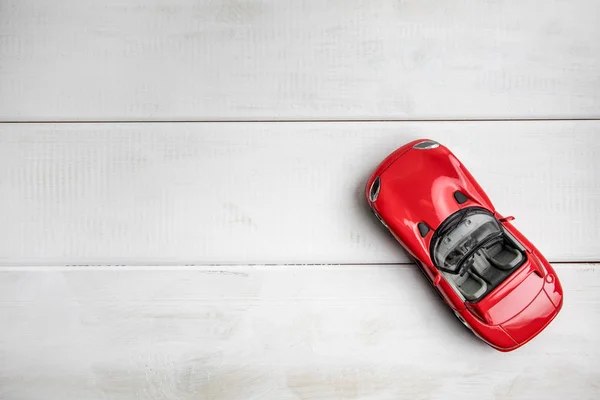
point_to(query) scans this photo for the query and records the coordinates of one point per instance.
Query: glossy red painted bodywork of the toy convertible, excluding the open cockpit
(417, 185)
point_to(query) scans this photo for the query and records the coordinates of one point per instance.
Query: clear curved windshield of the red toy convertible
(460, 235)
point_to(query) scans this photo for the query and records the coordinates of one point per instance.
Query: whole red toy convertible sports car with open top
(497, 283)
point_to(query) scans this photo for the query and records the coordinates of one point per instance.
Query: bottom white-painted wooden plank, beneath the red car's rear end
(337, 332)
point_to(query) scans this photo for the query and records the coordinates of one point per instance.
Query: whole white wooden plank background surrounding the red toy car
(181, 194)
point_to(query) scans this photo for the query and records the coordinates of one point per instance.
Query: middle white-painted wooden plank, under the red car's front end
(203, 193)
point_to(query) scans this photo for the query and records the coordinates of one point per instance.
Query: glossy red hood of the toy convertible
(420, 186)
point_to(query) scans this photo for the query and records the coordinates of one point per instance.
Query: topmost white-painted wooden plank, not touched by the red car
(290, 59)
